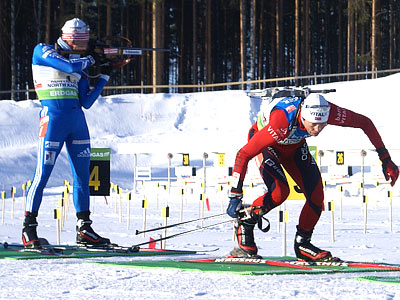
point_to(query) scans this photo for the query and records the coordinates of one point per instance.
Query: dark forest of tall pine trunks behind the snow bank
(211, 41)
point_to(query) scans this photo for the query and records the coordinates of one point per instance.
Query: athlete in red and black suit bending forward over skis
(278, 139)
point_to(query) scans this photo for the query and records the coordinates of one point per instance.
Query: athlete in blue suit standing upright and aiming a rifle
(63, 89)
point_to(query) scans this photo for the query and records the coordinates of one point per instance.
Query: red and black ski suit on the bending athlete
(281, 142)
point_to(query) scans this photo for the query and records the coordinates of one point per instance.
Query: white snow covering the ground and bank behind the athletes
(195, 123)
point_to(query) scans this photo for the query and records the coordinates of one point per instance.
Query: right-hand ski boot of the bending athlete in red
(306, 251)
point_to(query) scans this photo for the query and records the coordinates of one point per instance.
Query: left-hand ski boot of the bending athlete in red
(244, 231)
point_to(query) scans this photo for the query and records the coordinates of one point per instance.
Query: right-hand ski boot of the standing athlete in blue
(85, 235)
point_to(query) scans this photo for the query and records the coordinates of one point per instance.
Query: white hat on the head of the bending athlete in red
(315, 109)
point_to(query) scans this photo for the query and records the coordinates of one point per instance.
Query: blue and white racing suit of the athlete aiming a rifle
(62, 90)
